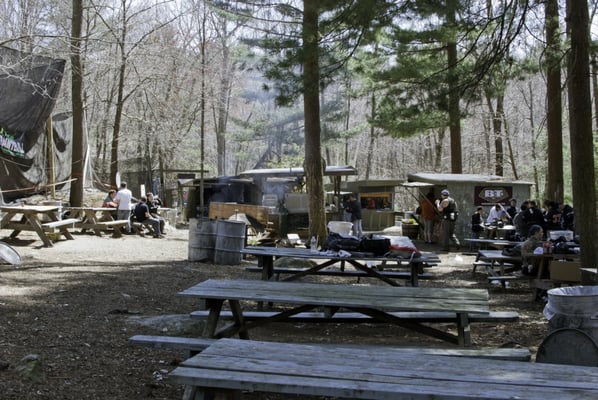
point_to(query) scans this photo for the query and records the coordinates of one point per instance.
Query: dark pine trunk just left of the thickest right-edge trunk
(554, 179)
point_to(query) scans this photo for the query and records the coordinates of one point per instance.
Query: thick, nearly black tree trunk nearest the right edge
(580, 126)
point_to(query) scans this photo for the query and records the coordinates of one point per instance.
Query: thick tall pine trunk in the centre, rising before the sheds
(313, 159)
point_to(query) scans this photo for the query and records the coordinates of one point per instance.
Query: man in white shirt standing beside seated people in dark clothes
(145, 210)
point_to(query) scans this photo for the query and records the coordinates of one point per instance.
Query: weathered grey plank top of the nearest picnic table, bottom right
(230, 366)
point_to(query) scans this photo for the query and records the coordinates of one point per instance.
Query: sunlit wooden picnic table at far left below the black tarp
(40, 219)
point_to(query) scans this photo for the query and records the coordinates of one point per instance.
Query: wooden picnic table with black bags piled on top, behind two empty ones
(266, 255)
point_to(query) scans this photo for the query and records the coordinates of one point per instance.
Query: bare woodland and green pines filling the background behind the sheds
(402, 86)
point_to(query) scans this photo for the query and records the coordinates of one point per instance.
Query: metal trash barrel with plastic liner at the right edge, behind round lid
(573, 307)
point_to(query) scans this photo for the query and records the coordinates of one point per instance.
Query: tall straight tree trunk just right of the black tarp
(76, 194)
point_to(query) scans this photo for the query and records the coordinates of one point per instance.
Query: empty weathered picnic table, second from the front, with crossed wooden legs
(375, 301)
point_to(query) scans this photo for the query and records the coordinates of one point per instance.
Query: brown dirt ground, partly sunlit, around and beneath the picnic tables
(72, 305)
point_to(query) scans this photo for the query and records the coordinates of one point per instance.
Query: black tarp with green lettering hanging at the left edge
(29, 85)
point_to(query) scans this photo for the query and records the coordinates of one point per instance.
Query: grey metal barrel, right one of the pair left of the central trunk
(230, 240)
